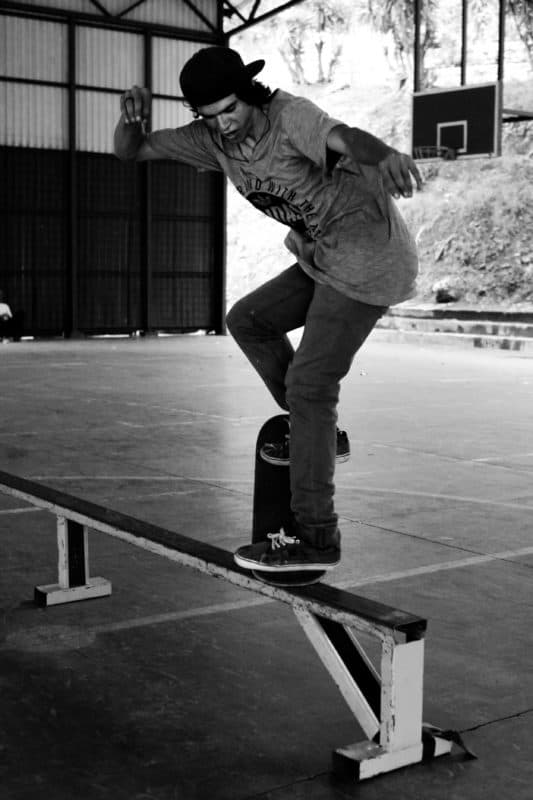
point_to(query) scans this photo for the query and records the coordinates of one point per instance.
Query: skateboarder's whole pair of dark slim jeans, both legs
(305, 382)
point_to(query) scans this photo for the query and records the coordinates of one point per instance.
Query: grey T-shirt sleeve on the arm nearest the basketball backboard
(307, 128)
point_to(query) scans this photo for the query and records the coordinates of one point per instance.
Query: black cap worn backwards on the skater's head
(214, 73)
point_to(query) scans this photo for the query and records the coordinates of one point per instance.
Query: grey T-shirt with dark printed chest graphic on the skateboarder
(345, 231)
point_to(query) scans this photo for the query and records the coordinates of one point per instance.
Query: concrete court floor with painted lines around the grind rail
(183, 687)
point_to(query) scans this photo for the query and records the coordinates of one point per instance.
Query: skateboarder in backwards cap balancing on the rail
(332, 186)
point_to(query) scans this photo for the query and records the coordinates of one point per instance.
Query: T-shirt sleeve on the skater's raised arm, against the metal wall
(190, 144)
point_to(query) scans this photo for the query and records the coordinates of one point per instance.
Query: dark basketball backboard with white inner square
(463, 122)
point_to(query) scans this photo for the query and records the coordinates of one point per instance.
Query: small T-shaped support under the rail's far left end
(73, 569)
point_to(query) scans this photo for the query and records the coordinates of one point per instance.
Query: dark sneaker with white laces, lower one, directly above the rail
(282, 553)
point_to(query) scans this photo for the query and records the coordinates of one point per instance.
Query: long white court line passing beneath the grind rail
(348, 583)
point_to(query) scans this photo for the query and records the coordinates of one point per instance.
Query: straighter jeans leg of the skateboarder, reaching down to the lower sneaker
(335, 328)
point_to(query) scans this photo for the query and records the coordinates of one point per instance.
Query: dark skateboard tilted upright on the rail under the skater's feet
(272, 504)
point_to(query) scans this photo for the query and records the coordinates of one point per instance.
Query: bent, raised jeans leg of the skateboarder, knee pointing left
(260, 321)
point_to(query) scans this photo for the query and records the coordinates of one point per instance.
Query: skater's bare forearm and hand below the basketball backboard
(396, 168)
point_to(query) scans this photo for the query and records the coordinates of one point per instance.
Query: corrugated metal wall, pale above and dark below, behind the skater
(73, 258)
